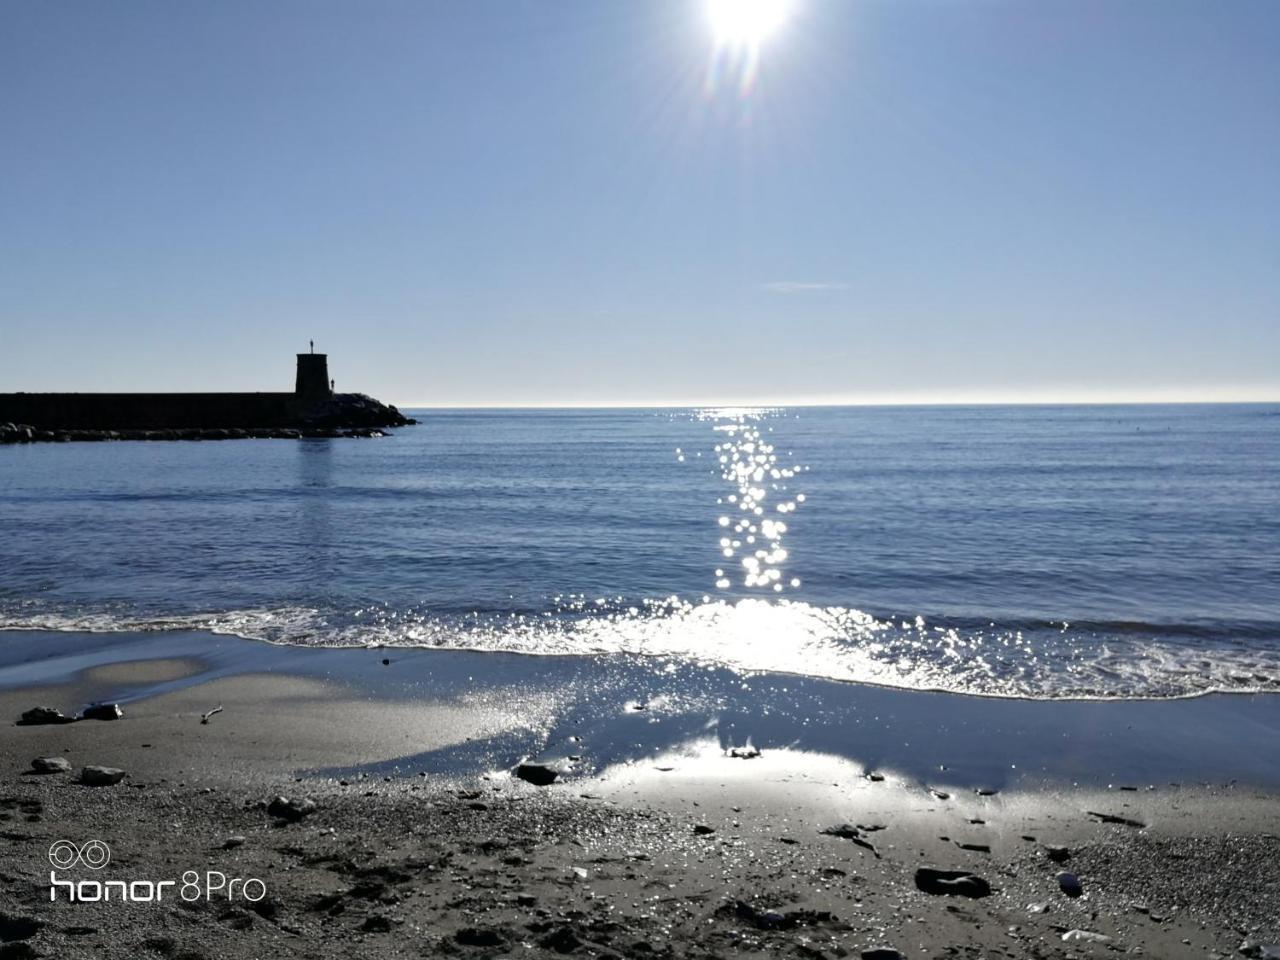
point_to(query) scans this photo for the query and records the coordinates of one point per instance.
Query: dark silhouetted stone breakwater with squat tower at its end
(312, 410)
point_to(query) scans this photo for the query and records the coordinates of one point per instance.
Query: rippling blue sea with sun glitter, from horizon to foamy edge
(1040, 552)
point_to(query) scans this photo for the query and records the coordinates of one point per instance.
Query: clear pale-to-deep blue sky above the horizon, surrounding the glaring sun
(501, 203)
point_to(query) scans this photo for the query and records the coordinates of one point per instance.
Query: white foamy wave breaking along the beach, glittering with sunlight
(1045, 661)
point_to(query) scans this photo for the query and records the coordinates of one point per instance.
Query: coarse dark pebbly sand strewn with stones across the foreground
(409, 871)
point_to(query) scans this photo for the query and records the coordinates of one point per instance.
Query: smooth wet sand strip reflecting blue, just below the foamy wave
(612, 710)
